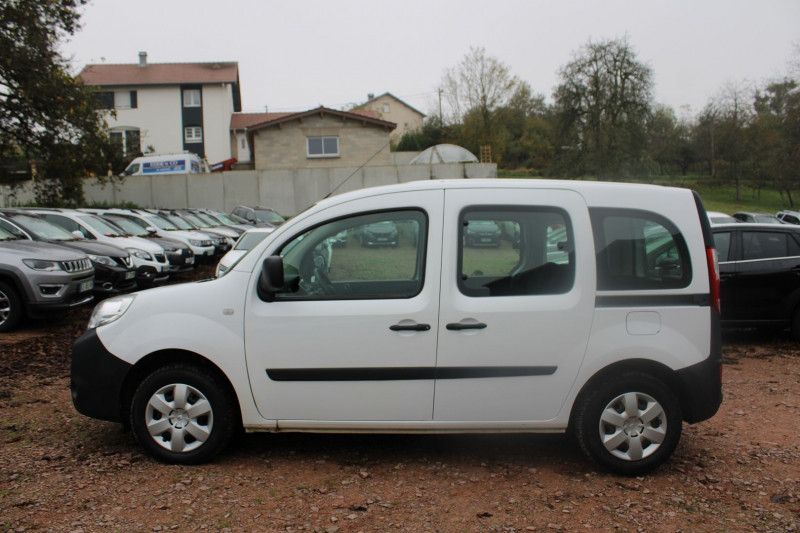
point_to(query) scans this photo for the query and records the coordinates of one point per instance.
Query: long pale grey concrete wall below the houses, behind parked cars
(286, 191)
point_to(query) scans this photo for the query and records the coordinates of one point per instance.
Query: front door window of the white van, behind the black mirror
(376, 255)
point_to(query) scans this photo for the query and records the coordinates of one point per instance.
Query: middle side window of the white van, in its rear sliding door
(515, 251)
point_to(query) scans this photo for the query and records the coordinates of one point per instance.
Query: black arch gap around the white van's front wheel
(159, 359)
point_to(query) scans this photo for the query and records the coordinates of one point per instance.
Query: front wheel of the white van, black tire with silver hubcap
(195, 409)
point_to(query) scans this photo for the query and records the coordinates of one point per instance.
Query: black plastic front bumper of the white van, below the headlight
(96, 379)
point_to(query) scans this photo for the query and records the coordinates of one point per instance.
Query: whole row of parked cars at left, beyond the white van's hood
(115, 250)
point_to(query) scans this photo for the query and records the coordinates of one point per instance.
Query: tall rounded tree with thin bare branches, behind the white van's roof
(601, 107)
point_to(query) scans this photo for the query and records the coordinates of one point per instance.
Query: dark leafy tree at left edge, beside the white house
(45, 114)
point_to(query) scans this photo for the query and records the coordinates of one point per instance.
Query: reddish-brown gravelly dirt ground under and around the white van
(60, 471)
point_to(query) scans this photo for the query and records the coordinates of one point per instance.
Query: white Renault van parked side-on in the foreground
(597, 313)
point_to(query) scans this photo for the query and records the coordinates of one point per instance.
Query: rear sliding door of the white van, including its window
(516, 307)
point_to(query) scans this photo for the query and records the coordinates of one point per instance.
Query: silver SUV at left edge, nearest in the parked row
(37, 278)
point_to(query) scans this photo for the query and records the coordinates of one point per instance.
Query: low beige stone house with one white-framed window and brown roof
(318, 138)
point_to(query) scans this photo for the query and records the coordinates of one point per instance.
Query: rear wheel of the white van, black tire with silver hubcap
(642, 427)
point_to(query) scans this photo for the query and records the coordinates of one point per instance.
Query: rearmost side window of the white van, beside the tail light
(639, 250)
